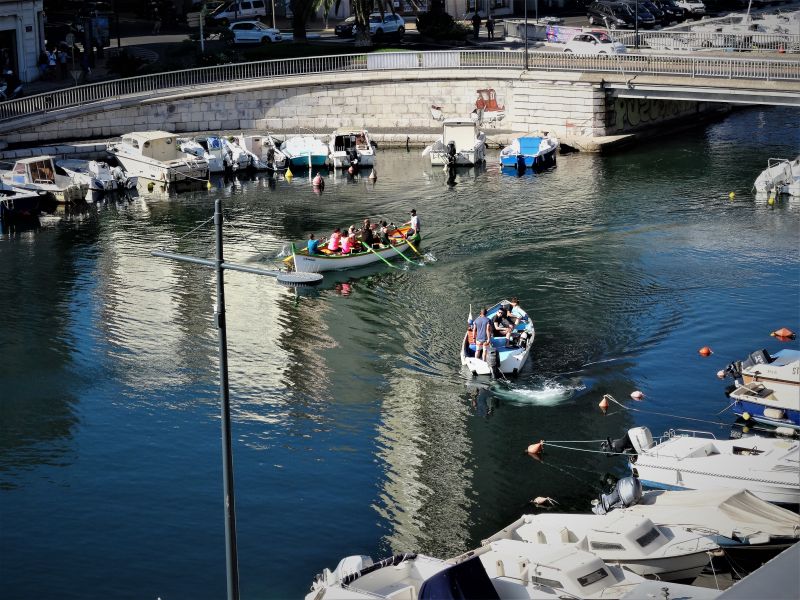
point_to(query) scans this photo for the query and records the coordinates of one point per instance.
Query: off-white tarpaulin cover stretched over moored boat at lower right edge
(727, 512)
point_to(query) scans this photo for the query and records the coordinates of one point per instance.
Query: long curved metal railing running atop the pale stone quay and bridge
(646, 64)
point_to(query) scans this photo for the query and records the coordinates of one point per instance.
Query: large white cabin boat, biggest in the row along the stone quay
(155, 156)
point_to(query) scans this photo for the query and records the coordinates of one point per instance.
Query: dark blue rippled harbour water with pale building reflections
(354, 429)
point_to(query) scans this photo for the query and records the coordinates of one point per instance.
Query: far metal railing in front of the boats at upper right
(699, 40)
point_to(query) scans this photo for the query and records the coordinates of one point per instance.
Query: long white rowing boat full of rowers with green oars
(372, 243)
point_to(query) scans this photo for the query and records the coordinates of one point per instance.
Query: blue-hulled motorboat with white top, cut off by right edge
(767, 387)
